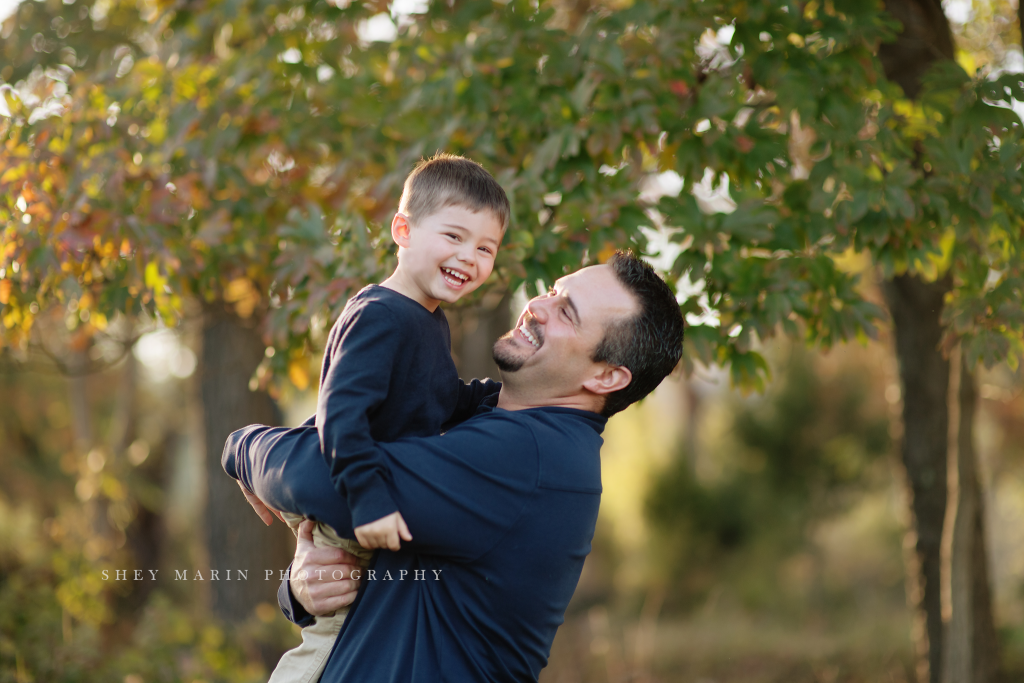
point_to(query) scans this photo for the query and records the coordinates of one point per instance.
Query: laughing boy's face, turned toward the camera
(449, 254)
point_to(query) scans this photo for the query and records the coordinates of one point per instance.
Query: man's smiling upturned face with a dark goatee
(551, 347)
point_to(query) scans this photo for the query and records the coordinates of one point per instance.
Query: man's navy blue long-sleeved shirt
(502, 509)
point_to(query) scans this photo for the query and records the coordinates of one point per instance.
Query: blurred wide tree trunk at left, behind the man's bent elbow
(237, 540)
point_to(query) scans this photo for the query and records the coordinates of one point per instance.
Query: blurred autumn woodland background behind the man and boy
(191, 191)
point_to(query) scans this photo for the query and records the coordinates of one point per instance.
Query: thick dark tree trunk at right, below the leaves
(916, 308)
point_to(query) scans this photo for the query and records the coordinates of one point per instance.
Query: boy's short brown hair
(446, 181)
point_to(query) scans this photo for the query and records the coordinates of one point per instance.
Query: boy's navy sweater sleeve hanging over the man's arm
(356, 383)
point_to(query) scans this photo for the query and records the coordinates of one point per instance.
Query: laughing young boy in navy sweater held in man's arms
(389, 364)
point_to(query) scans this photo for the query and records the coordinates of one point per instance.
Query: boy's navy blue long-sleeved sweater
(388, 374)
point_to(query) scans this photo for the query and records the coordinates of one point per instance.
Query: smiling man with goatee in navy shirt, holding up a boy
(501, 508)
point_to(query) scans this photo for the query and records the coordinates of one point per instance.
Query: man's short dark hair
(651, 344)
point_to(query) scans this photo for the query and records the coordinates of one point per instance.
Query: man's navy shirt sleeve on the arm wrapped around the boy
(460, 493)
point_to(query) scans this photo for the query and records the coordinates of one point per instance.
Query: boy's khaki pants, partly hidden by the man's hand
(306, 663)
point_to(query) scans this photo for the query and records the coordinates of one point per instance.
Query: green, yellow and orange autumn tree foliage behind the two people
(245, 154)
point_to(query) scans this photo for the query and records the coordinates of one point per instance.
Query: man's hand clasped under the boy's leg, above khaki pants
(321, 578)
